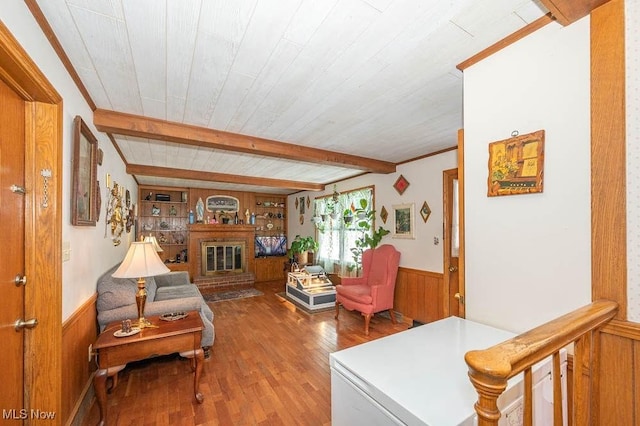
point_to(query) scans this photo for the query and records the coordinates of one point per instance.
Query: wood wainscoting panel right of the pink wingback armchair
(419, 295)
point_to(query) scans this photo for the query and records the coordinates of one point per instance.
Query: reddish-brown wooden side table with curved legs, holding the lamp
(113, 353)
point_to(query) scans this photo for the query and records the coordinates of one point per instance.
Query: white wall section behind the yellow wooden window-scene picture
(528, 257)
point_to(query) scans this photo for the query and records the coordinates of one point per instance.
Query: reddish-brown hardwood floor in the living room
(269, 365)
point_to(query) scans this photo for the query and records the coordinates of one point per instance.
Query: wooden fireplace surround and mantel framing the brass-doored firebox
(219, 232)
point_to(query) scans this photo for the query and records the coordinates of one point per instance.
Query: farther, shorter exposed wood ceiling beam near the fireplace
(139, 169)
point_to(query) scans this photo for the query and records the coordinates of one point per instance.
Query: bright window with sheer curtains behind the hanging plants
(335, 238)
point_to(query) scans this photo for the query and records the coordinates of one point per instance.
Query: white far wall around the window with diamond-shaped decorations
(425, 184)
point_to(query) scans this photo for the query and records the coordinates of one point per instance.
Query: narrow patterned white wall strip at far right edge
(632, 40)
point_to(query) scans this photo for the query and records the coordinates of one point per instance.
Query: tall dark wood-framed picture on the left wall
(84, 175)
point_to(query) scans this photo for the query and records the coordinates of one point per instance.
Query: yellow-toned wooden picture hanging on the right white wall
(516, 165)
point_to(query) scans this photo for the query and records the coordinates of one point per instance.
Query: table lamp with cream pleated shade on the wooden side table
(141, 261)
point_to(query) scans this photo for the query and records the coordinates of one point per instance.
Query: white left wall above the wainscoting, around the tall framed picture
(91, 252)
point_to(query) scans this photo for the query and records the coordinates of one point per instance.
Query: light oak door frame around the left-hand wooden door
(43, 224)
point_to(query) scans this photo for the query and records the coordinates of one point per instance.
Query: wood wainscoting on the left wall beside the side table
(78, 332)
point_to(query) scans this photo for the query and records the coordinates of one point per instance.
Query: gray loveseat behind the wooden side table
(167, 293)
